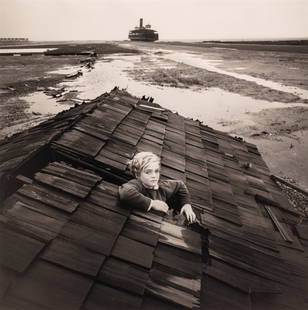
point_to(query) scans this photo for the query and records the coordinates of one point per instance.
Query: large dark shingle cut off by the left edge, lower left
(18, 251)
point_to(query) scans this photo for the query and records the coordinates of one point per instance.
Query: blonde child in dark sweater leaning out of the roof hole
(146, 192)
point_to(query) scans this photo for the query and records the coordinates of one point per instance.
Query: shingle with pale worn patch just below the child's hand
(180, 237)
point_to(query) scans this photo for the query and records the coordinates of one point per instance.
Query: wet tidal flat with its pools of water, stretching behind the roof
(274, 120)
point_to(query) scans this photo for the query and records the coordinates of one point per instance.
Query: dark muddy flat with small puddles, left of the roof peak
(23, 79)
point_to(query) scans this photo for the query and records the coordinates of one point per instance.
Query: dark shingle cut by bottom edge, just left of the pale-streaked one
(103, 297)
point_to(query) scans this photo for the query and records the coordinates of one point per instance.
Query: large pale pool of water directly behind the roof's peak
(213, 106)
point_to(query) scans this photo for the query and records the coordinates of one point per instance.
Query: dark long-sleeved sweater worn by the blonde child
(135, 195)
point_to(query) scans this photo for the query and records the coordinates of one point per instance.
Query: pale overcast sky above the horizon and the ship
(173, 19)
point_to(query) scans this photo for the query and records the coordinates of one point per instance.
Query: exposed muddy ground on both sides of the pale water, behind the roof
(280, 134)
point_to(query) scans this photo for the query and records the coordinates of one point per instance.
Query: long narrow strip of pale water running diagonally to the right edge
(199, 62)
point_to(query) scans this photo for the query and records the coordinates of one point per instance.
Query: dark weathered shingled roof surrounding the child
(68, 244)
